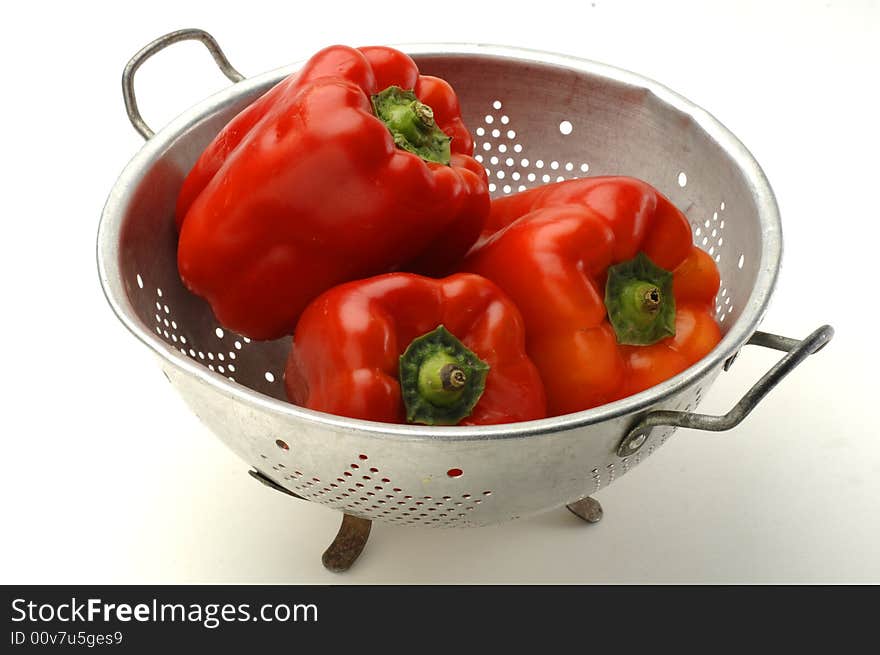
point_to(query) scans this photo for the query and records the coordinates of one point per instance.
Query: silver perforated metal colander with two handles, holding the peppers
(537, 118)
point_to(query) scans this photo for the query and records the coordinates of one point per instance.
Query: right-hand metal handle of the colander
(797, 351)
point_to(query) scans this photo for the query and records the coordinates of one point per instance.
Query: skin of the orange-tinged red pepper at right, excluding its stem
(552, 252)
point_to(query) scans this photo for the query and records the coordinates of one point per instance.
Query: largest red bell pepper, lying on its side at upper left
(307, 188)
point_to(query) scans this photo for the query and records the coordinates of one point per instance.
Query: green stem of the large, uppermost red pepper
(412, 124)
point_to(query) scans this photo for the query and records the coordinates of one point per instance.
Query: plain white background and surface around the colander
(107, 477)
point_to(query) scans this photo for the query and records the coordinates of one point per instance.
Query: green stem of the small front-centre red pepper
(441, 381)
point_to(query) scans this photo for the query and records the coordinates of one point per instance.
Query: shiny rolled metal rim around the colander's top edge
(755, 307)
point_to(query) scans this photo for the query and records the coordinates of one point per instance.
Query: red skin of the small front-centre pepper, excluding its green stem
(346, 353)
